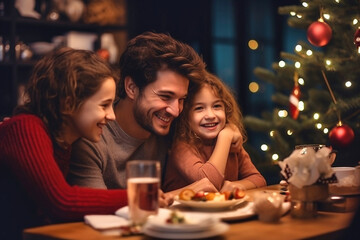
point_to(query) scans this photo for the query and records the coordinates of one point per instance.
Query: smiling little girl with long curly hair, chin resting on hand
(208, 126)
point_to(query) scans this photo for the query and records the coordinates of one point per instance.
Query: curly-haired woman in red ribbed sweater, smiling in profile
(70, 95)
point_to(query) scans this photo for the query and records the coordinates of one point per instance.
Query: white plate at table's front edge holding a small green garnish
(194, 223)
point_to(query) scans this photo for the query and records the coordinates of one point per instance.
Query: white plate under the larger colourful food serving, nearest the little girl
(212, 205)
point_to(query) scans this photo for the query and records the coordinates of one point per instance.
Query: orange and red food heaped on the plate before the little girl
(188, 194)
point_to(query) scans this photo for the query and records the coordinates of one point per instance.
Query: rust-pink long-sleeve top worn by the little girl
(185, 167)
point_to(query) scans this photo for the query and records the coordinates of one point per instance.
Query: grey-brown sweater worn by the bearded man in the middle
(102, 164)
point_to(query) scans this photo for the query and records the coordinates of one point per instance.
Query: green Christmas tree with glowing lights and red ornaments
(317, 87)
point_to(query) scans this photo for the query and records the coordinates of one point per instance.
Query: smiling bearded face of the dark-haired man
(161, 102)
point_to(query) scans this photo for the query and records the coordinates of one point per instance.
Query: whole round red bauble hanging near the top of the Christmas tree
(319, 33)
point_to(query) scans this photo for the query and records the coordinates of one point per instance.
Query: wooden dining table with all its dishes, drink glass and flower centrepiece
(296, 206)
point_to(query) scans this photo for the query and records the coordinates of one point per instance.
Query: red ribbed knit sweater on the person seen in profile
(29, 159)
